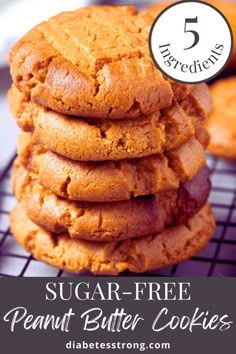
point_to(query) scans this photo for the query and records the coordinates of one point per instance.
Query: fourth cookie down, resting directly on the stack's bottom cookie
(113, 220)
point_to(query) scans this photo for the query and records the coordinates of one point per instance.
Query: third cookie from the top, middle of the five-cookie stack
(109, 180)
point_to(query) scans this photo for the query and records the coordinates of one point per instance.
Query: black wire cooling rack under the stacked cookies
(217, 259)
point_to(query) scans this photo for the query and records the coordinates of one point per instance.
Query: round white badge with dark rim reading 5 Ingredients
(191, 42)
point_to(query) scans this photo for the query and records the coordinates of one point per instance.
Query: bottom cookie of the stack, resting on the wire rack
(173, 245)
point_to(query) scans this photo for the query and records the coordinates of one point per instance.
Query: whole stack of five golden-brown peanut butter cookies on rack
(110, 173)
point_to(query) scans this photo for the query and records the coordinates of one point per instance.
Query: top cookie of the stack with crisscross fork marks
(93, 62)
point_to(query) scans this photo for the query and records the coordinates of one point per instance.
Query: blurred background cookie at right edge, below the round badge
(222, 121)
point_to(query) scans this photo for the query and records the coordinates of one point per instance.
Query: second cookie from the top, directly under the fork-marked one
(93, 140)
